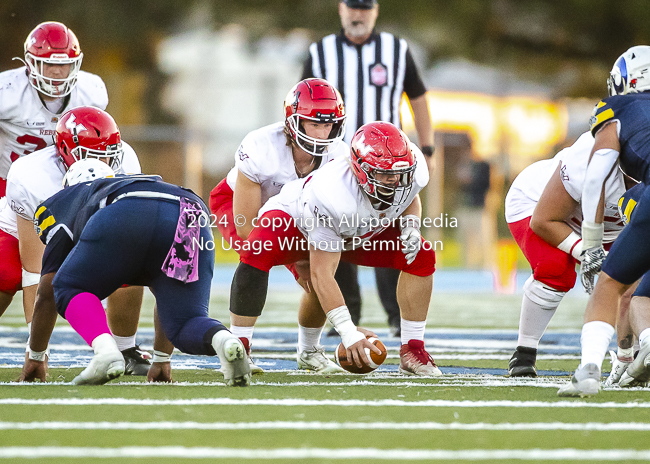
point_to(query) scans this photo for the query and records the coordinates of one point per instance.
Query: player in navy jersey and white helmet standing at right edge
(621, 127)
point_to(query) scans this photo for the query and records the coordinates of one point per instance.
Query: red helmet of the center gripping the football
(383, 163)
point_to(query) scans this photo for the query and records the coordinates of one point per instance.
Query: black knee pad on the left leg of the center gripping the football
(248, 291)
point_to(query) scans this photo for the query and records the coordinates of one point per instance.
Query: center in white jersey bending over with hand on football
(363, 208)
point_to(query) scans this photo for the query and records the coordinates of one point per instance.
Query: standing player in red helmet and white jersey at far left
(32, 99)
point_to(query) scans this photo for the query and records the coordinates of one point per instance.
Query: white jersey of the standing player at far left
(26, 125)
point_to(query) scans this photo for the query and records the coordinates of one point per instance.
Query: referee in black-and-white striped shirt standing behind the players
(371, 70)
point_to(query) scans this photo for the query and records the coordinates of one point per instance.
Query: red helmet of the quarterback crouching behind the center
(314, 100)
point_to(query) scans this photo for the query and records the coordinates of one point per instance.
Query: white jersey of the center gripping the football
(331, 208)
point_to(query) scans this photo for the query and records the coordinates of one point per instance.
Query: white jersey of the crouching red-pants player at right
(527, 188)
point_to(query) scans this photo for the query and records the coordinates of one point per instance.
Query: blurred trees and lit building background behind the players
(510, 82)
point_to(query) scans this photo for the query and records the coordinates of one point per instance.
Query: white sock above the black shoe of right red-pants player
(538, 306)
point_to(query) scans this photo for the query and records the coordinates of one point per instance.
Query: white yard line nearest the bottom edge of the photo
(569, 454)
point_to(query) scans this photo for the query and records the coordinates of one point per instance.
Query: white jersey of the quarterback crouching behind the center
(266, 159)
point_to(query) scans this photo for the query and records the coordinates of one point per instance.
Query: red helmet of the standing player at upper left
(52, 43)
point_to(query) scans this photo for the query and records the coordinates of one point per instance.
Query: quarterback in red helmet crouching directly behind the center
(268, 158)
